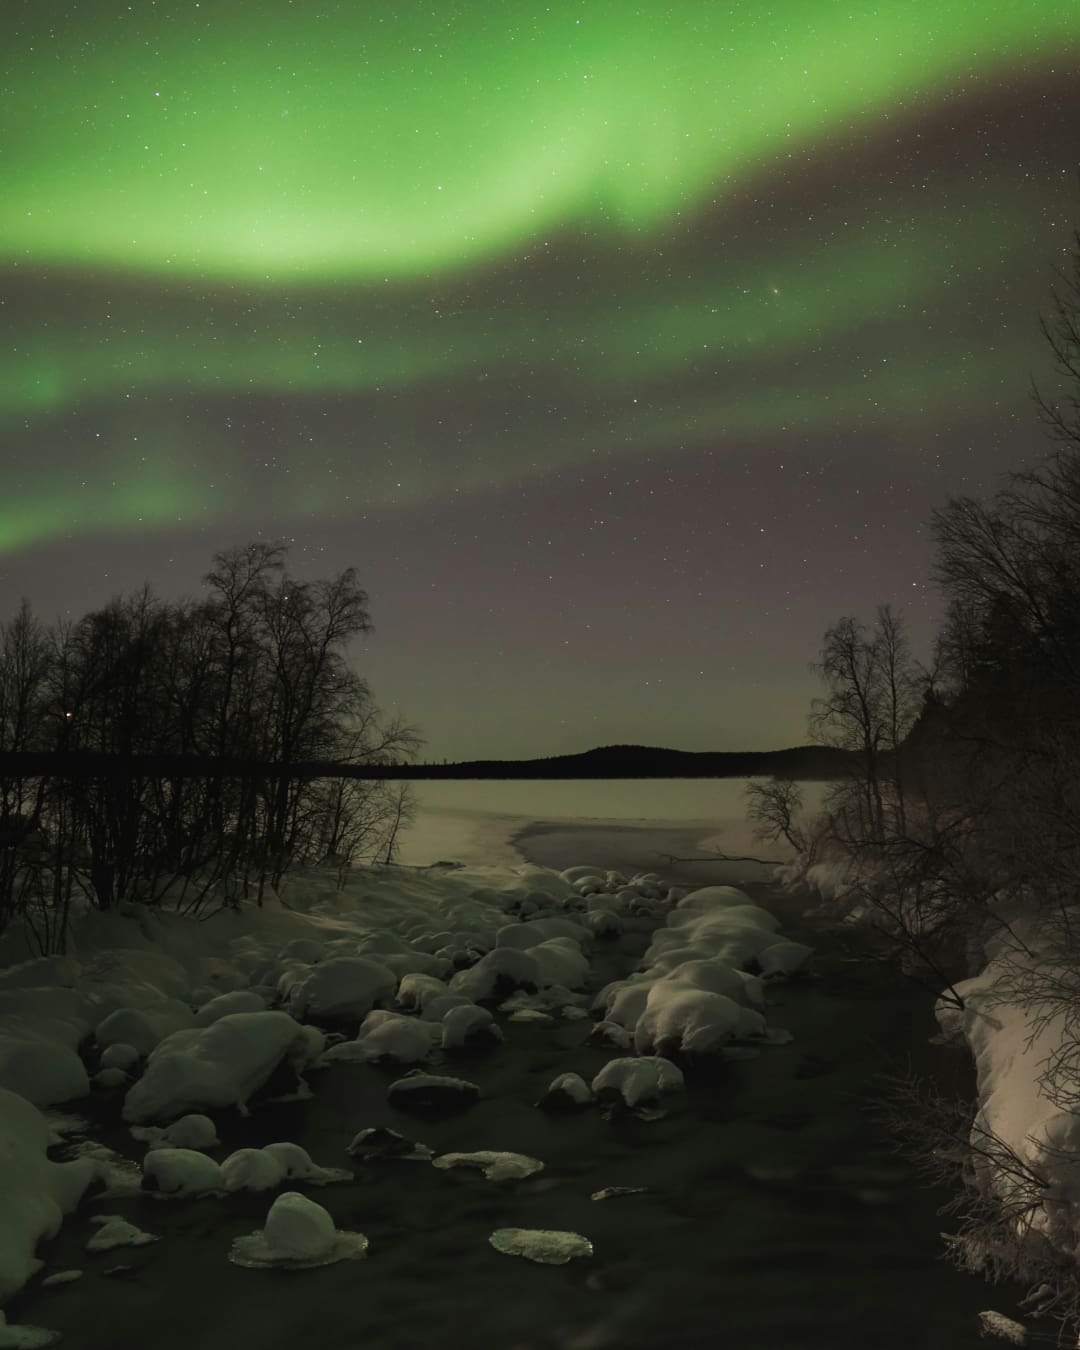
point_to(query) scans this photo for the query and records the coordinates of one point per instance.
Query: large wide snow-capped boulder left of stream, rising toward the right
(219, 1066)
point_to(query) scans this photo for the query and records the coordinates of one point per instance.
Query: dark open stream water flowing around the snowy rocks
(777, 1216)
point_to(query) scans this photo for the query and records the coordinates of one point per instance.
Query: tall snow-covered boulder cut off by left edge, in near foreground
(36, 1193)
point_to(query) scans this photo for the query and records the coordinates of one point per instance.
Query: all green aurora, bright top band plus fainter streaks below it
(325, 202)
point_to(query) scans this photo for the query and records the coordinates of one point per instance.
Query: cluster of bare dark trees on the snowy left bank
(106, 722)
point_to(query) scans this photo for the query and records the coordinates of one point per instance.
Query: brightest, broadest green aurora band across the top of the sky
(310, 142)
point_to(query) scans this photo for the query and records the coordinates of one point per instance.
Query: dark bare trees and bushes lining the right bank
(961, 819)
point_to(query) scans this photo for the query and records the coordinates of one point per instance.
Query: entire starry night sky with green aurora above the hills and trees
(620, 348)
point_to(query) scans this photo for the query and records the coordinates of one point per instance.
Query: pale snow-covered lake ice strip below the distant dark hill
(472, 821)
